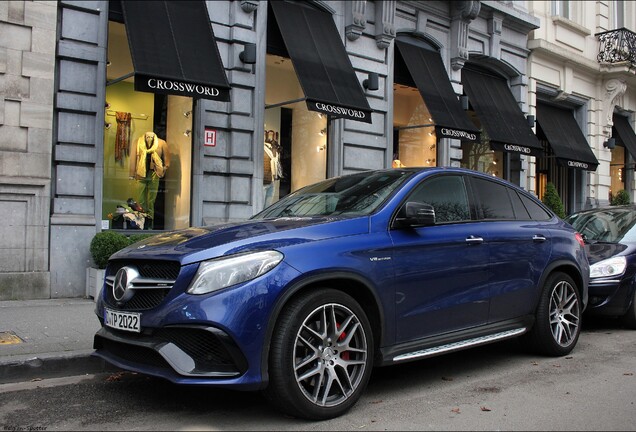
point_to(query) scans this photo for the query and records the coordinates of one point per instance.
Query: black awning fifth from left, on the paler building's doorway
(566, 138)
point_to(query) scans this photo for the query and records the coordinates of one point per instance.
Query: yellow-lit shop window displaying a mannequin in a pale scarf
(147, 149)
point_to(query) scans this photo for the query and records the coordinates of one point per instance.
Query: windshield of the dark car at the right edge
(610, 226)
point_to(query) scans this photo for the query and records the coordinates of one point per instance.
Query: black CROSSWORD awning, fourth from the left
(499, 113)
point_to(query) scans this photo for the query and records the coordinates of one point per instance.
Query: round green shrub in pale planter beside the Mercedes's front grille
(103, 245)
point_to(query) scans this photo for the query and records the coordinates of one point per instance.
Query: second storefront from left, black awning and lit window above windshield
(310, 82)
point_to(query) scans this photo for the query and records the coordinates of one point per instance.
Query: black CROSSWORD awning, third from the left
(430, 77)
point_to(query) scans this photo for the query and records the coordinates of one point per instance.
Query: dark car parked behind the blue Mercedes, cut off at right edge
(610, 235)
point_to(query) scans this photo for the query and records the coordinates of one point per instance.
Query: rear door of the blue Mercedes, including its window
(520, 247)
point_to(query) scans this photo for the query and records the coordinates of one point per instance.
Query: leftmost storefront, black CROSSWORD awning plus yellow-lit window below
(155, 74)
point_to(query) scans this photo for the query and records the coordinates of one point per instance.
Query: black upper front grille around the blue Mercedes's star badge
(156, 278)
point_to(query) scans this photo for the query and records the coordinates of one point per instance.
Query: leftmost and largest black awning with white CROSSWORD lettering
(174, 50)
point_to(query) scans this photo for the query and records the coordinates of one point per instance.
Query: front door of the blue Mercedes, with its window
(441, 271)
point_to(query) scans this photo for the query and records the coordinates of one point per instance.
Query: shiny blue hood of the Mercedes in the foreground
(197, 244)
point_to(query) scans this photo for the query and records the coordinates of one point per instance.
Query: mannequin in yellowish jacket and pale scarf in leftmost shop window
(149, 161)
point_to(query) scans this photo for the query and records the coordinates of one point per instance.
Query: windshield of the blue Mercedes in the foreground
(355, 194)
